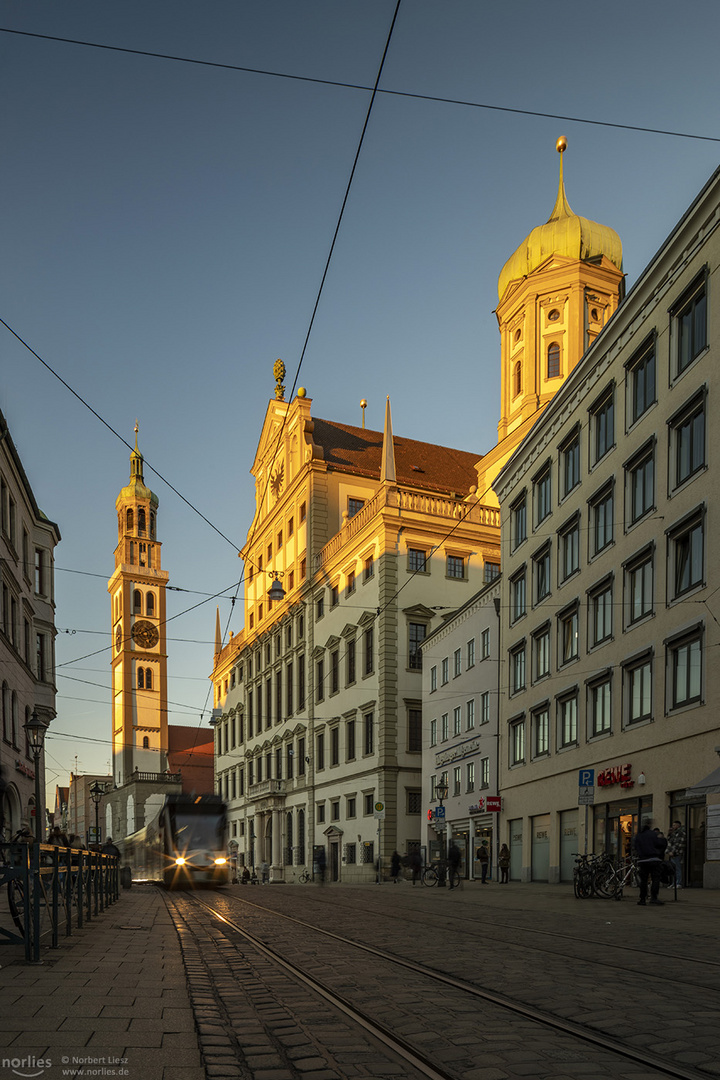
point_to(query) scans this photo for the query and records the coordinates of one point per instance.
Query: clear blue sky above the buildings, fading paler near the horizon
(165, 228)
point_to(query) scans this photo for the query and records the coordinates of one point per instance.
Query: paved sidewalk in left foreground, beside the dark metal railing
(111, 1002)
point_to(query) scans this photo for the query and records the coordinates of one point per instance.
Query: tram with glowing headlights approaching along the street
(183, 846)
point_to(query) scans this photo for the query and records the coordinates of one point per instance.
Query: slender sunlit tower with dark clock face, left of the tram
(140, 654)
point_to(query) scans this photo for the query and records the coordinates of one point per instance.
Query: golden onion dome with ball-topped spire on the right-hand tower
(564, 234)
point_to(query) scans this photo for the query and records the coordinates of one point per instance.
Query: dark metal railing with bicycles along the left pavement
(52, 889)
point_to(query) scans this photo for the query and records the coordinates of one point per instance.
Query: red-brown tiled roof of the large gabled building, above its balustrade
(423, 466)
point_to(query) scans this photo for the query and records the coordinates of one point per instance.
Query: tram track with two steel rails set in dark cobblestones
(293, 946)
